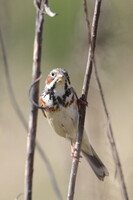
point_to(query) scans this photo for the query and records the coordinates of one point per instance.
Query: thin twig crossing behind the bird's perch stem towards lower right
(110, 129)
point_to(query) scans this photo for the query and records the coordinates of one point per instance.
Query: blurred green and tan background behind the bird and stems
(65, 45)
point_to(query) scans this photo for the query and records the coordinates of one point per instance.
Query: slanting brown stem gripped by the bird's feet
(85, 89)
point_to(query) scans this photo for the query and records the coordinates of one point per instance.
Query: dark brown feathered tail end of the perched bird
(96, 164)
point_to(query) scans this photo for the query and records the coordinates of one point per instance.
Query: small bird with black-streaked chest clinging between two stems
(60, 105)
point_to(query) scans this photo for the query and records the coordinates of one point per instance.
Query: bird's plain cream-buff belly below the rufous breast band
(65, 121)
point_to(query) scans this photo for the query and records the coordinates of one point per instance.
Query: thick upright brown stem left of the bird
(34, 110)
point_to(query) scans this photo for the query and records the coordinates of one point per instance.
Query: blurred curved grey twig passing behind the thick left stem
(23, 120)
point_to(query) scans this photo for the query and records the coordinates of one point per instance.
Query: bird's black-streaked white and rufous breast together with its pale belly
(62, 112)
